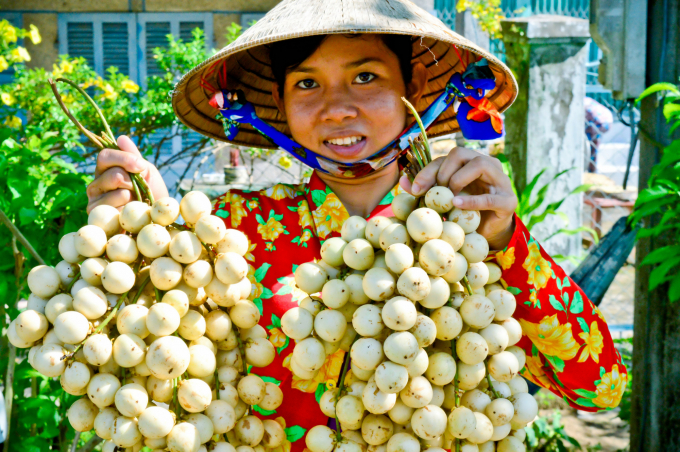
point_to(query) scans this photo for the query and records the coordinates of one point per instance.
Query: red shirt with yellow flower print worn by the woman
(568, 346)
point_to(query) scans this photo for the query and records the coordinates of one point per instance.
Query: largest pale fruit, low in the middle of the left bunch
(168, 357)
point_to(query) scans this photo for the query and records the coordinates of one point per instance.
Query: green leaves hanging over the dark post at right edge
(661, 200)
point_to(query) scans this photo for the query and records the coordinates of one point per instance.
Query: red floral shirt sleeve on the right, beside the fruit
(568, 347)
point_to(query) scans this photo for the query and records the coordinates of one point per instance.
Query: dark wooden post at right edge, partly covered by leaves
(656, 343)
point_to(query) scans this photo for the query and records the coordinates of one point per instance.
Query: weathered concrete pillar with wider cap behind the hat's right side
(545, 126)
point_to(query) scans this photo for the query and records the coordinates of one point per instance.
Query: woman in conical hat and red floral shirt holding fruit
(338, 93)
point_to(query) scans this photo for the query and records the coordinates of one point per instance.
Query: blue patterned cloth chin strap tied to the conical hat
(476, 116)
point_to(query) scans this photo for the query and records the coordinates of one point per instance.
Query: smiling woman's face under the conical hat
(344, 101)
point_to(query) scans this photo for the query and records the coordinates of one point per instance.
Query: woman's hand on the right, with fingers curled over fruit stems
(482, 177)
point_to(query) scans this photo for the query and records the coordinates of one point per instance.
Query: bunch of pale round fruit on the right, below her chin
(393, 296)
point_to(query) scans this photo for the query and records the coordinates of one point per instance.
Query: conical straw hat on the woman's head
(248, 66)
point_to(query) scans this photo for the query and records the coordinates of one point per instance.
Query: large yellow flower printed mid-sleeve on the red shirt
(551, 338)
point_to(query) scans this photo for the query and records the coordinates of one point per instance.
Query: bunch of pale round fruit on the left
(149, 321)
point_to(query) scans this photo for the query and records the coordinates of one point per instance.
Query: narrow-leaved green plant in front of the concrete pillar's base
(532, 208)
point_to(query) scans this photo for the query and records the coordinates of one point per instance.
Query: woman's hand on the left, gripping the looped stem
(112, 184)
